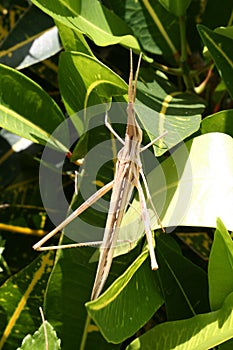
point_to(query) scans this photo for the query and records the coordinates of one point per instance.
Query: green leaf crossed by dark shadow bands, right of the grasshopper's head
(162, 108)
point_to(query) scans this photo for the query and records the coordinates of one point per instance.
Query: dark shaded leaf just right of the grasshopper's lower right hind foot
(184, 284)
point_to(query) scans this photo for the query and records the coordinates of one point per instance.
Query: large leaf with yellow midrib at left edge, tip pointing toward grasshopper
(27, 110)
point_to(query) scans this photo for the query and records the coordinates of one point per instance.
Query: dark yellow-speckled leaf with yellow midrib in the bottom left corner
(21, 295)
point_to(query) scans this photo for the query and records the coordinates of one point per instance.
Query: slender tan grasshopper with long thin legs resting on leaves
(127, 175)
